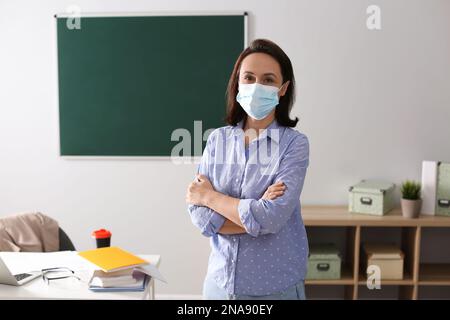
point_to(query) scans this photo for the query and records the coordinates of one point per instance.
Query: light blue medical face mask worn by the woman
(257, 100)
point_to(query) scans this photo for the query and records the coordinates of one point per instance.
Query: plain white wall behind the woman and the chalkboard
(373, 103)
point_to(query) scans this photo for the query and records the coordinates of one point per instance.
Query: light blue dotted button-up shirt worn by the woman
(272, 255)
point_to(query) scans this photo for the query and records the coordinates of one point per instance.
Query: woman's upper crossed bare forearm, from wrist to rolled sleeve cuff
(225, 205)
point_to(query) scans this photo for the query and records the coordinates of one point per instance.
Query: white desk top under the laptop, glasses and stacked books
(69, 288)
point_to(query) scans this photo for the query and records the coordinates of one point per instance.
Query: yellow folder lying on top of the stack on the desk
(111, 259)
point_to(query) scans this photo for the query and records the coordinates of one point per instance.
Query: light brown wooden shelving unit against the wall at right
(358, 228)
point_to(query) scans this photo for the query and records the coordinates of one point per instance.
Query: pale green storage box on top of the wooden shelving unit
(371, 197)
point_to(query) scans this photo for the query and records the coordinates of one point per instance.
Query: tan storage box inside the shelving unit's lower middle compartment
(389, 258)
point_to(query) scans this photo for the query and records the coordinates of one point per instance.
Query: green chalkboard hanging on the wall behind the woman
(126, 83)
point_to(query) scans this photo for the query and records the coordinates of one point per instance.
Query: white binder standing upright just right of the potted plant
(429, 186)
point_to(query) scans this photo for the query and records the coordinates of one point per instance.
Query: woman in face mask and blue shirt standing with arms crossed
(246, 194)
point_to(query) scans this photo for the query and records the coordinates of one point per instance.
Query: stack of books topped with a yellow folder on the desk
(118, 270)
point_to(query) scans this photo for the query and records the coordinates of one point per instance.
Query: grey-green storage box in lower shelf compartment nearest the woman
(324, 262)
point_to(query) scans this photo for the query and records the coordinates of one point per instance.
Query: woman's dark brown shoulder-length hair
(235, 113)
